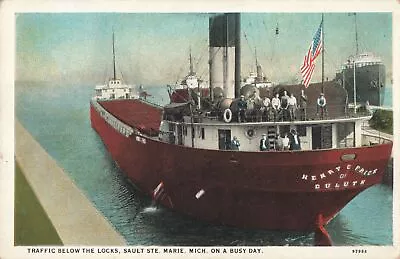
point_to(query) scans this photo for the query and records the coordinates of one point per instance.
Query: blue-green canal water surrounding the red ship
(58, 118)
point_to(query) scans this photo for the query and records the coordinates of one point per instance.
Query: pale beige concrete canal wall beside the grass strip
(74, 217)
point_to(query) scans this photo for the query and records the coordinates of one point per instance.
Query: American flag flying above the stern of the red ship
(308, 66)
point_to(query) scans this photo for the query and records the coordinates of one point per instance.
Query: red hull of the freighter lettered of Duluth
(270, 190)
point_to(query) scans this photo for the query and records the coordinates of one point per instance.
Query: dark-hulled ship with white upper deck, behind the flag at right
(365, 74)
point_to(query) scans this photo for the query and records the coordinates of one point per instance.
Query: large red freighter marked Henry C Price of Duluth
(181, 154)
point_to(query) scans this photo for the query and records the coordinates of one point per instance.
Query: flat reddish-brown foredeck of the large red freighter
(135, 113)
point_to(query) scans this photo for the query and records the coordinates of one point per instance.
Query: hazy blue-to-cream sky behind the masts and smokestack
(153, 48)
